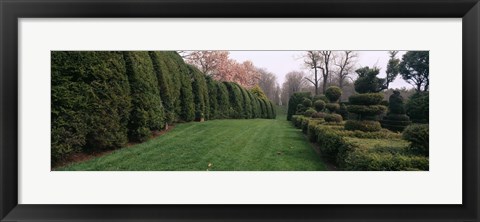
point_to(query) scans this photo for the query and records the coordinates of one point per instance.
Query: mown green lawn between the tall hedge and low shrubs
(233, 145)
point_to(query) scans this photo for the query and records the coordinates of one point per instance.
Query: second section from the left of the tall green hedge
(147, 111)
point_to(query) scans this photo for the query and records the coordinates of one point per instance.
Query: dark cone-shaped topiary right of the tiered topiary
(396, 119)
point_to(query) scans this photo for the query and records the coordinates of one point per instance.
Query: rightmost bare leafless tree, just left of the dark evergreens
(345, 63)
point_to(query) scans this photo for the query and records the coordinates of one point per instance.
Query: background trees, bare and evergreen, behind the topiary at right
(335, 68)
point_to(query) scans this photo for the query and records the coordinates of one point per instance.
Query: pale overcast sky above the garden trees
(282, 62)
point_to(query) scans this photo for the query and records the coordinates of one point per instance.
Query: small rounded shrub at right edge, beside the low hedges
(417, 135)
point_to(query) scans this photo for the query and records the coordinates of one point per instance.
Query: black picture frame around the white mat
(11, 11)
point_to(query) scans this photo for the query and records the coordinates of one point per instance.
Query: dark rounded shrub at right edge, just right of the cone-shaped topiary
(417, 107)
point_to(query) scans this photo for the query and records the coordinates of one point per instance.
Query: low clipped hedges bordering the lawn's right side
(391, 151)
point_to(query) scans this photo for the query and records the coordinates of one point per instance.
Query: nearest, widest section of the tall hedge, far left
(91, 101)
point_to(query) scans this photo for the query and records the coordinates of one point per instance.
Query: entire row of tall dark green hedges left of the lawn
(104, 99)
